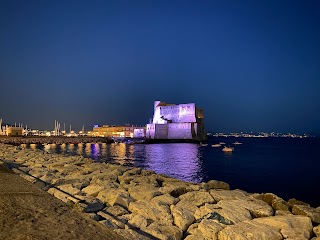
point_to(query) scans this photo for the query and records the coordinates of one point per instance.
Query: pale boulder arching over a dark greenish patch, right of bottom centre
(230, 212)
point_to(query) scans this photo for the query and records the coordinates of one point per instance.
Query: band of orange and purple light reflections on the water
(177, 160)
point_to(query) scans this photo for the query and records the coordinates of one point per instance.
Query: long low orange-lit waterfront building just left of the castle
(118, 131)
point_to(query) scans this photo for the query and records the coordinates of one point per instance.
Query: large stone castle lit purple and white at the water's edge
(176, 122)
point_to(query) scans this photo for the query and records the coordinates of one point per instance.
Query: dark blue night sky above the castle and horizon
(251, 65)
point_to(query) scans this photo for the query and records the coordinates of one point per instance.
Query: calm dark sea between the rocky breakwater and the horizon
(288, 167)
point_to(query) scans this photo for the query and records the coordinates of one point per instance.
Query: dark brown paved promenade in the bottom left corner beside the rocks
(27, 212)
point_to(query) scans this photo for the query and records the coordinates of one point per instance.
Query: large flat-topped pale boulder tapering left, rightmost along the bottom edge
(290, 225)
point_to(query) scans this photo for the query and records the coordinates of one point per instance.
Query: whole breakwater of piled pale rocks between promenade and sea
(140, 204)
